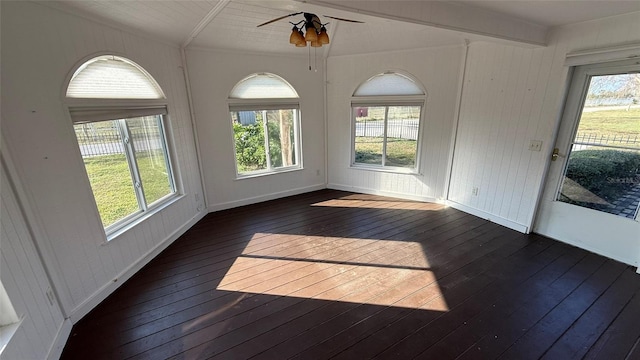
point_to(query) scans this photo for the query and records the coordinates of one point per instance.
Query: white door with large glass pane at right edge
(592, 190)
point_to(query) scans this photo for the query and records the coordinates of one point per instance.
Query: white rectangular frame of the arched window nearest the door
(386, 102)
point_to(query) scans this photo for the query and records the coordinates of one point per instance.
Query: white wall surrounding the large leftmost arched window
(40, 47)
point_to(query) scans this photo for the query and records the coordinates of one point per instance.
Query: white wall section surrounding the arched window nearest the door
(438, 69)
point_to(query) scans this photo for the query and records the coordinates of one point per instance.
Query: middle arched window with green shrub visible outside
(265, 117)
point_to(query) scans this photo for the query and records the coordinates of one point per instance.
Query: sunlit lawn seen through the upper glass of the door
(611, 122)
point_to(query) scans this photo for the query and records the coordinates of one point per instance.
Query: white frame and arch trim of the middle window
(266, 104)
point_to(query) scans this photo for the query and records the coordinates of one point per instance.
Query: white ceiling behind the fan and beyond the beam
(231, 24)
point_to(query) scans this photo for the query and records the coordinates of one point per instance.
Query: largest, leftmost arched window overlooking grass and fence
(119, 113)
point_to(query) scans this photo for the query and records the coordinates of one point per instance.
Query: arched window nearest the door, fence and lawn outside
(387, 111)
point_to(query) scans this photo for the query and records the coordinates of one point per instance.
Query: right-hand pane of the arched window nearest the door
(402, 136)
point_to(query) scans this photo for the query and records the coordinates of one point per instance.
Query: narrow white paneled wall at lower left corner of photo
(25, 281)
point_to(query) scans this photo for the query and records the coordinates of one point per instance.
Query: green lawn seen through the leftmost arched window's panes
(112, 187)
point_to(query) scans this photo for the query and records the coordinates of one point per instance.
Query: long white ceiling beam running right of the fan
(447, 15)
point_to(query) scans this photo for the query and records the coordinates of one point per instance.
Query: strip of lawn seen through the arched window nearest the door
(400, 152)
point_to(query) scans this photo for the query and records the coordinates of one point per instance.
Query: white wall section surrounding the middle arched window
(212, 75)
